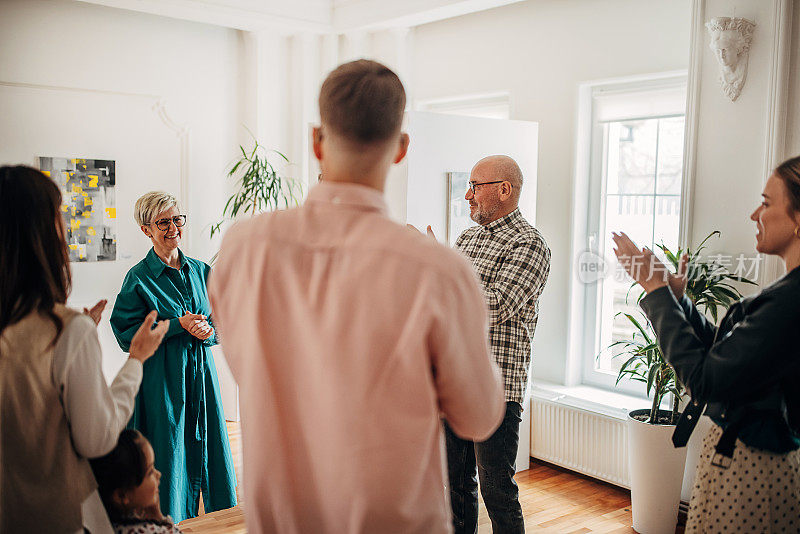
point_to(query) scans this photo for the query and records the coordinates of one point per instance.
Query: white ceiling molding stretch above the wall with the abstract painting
(285, 17)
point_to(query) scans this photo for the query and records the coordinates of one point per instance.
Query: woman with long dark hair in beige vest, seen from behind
(55, 407)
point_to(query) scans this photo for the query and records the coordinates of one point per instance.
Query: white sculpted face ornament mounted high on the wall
(730, 42)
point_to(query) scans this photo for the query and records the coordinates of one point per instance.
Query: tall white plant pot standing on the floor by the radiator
(656, 469)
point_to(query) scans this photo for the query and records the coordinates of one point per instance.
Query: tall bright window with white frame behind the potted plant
(634, 184)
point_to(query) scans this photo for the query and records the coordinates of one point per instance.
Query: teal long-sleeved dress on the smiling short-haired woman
(178, 407)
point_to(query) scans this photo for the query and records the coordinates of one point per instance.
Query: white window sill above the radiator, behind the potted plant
(589, 399)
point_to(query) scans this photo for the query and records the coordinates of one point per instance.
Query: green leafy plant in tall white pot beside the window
(656, 467)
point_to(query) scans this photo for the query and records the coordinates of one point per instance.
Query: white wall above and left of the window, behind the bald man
(539, 51)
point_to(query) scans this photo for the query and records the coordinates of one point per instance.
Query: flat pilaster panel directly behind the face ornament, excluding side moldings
(731, 137)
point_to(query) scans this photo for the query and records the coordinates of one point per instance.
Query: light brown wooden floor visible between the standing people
(553, 500)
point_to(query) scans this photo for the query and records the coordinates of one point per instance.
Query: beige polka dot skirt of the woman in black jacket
(759, 491)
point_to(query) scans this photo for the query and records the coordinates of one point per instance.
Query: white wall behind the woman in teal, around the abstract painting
(121, 64)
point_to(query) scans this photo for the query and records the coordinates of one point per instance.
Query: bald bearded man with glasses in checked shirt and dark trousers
(512, 261)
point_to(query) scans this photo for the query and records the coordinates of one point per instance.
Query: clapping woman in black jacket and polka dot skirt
(745, 373)
